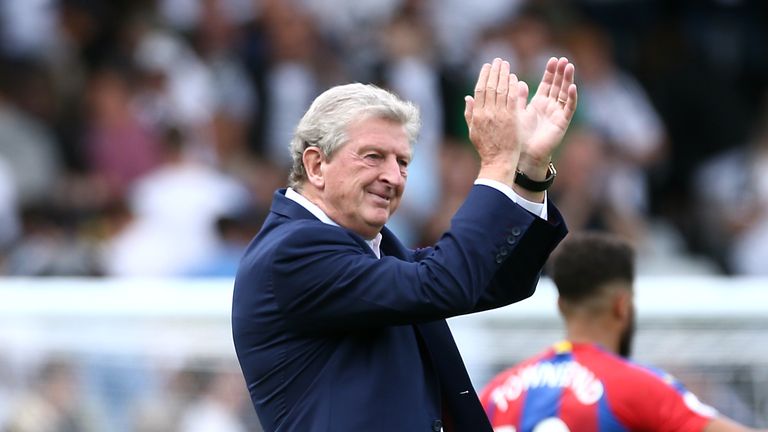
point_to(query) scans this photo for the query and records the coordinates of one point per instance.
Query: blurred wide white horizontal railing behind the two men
(711, 328)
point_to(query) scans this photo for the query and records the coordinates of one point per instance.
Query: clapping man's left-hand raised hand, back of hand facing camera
(493, 119)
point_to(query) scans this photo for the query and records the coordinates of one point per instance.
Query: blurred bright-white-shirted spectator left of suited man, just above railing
(174, 211)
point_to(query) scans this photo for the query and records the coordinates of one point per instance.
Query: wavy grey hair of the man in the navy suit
(325, 123)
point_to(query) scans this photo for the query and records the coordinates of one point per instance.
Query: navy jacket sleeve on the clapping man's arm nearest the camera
(323, 279)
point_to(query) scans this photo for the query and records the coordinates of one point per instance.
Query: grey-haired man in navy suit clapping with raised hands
(338, 326)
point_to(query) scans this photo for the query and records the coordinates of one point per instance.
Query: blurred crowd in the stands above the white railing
(146, 137)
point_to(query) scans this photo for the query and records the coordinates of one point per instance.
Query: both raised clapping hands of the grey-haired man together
(508, 132)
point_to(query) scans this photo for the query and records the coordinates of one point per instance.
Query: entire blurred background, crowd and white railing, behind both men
(141, 142)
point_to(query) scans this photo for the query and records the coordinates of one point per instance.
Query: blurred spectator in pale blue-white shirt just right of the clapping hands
(616, 106)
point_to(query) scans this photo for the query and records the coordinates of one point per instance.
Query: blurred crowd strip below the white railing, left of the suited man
(62, 395)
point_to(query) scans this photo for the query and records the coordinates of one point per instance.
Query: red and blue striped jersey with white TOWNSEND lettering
(582, 387)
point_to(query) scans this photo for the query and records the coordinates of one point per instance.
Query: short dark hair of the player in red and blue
(585, 262)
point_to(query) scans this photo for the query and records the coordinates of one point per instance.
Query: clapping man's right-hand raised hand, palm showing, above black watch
(545, 119)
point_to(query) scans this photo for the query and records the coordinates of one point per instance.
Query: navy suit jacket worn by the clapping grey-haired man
(332, 339)
